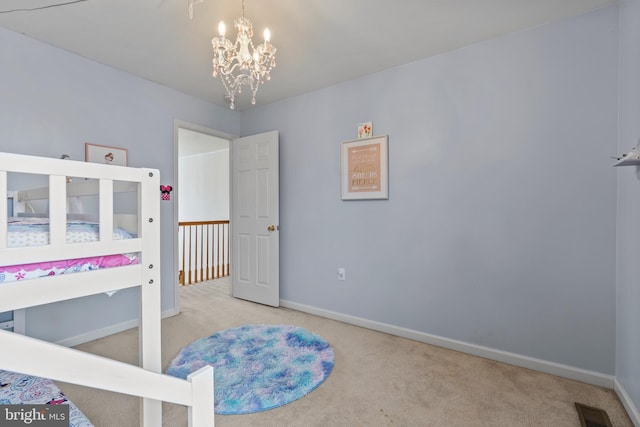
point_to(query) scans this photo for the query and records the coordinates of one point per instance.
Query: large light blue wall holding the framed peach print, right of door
(500, 226)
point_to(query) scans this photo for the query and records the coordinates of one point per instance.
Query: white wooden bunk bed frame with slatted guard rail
(42, 359)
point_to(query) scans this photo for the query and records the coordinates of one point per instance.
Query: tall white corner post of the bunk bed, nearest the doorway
(150, 291)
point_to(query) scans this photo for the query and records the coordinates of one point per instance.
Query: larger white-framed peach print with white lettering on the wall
(365, 169)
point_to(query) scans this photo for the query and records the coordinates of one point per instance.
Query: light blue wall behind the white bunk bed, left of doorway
(52, 102)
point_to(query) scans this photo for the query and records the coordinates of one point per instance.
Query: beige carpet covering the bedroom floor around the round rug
(378, 379)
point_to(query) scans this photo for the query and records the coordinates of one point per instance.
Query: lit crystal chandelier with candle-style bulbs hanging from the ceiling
(241, 63)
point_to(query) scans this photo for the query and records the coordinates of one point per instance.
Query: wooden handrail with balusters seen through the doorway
(205, 248)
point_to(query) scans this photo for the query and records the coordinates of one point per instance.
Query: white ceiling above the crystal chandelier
(319, 42)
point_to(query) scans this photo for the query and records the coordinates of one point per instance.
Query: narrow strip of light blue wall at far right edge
(628, 229)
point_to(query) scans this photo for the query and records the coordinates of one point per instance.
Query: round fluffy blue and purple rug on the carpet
(258, 367)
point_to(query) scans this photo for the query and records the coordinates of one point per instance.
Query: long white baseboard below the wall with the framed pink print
(565, 371)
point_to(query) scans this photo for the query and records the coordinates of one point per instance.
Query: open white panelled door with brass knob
(255, 218)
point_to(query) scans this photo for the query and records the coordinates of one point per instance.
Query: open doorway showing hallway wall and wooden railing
(202, 204)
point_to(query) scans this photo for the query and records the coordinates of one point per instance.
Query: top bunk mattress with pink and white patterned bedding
(23, 232)
